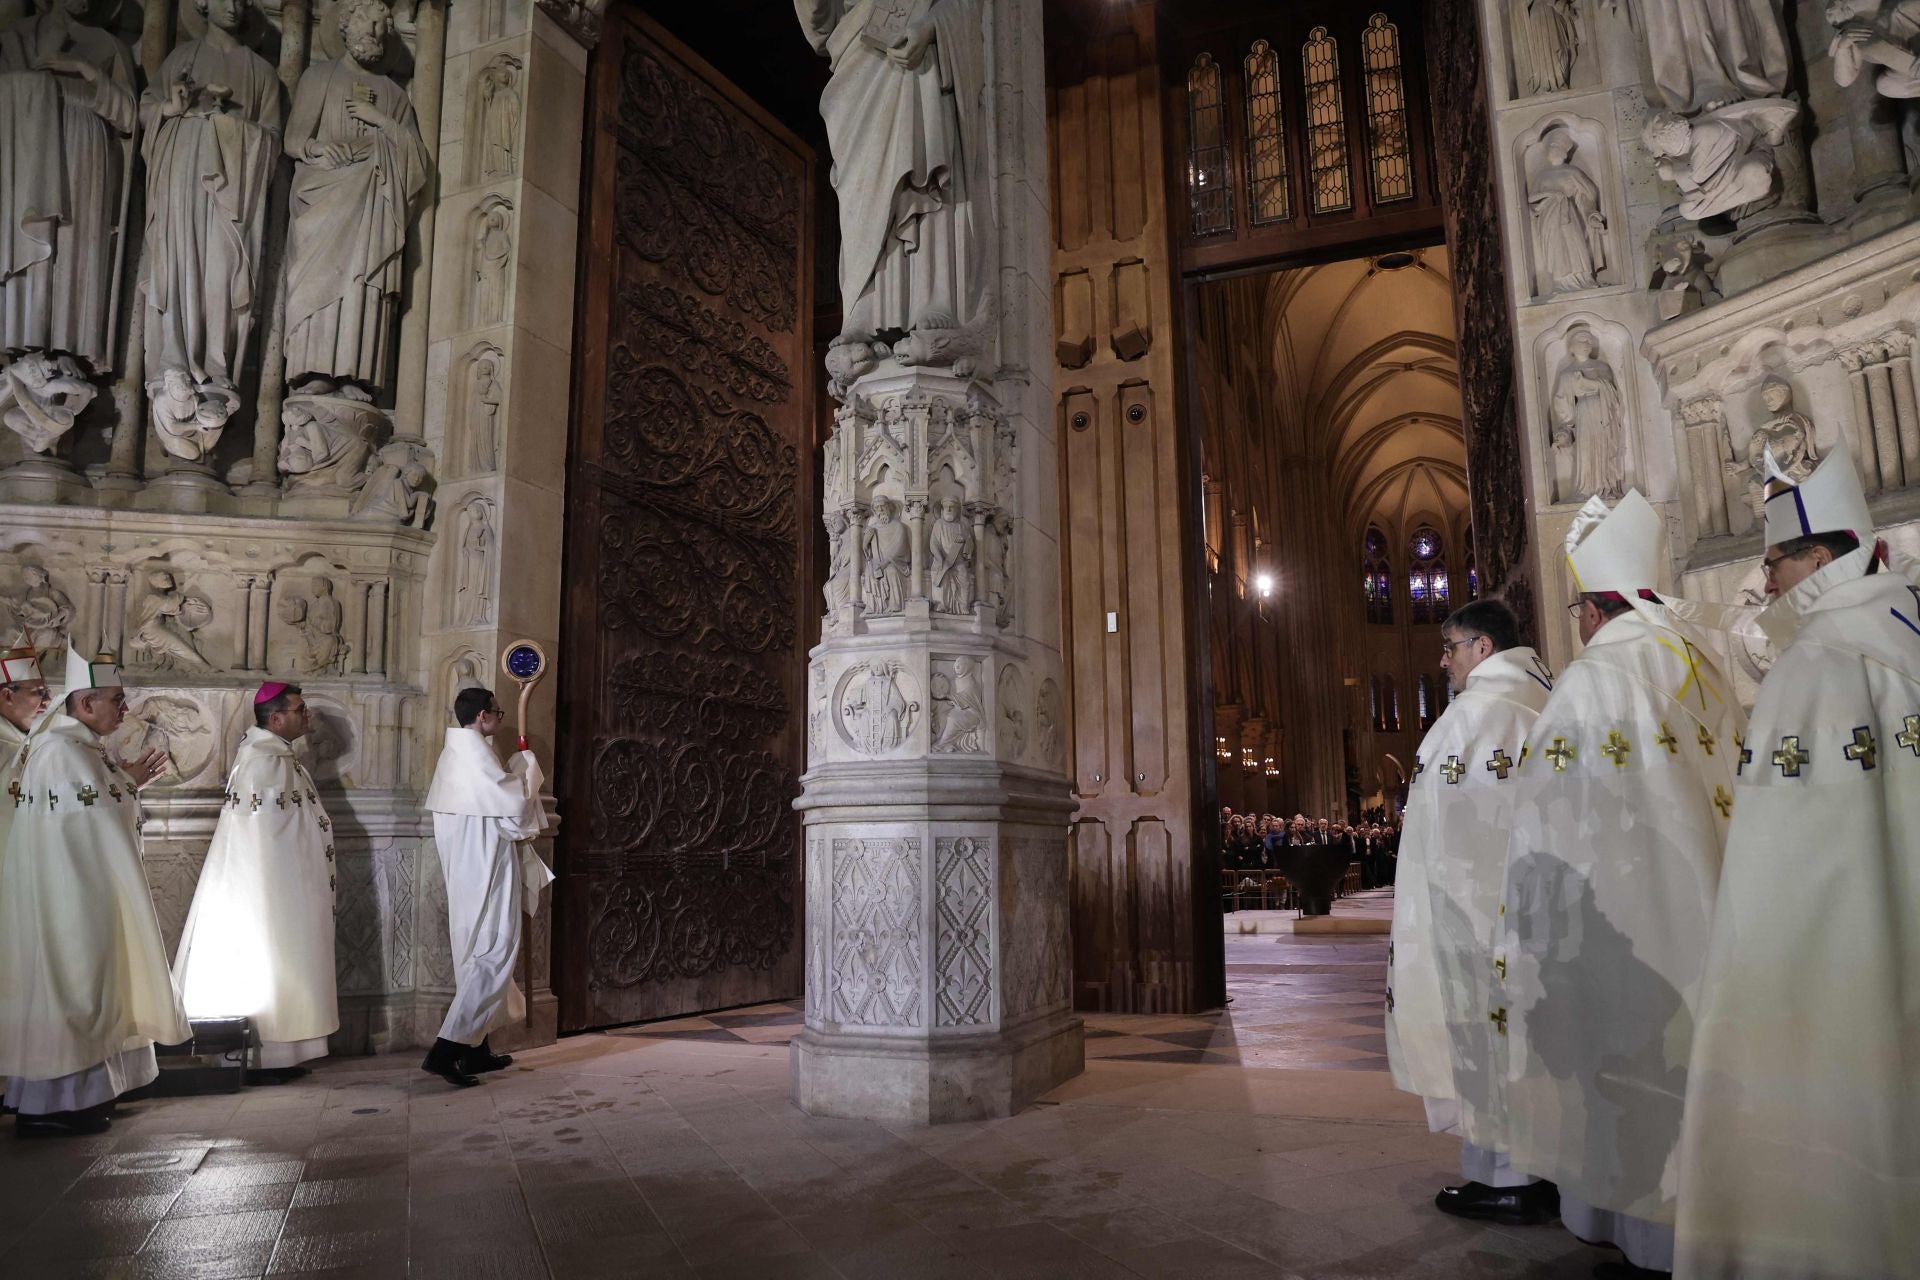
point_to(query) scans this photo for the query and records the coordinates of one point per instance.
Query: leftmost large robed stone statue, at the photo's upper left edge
(66, 133)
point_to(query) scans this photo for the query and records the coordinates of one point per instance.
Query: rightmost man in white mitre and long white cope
(1802, 1147)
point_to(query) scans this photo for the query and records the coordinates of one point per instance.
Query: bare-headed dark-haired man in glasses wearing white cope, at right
(1447, 905)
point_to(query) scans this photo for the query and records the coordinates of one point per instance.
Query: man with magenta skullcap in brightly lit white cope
(260, 937)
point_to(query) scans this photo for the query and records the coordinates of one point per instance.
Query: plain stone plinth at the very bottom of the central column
(926, 1081)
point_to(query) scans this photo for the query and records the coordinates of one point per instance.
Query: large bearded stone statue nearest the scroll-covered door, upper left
(360, 170)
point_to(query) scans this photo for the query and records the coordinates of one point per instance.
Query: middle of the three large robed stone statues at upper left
(210, 137)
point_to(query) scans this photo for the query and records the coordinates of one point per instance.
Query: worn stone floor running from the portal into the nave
(1266, 1141)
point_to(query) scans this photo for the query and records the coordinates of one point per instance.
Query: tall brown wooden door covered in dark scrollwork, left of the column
(686, 556)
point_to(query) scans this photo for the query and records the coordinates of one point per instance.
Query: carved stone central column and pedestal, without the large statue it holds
(938, 960)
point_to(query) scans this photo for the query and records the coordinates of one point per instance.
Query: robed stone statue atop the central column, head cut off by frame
(907, 131)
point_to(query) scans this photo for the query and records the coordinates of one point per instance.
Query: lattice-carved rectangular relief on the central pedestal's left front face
(878, 947)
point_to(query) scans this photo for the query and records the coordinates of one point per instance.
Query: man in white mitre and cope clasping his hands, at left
(85, 989)
